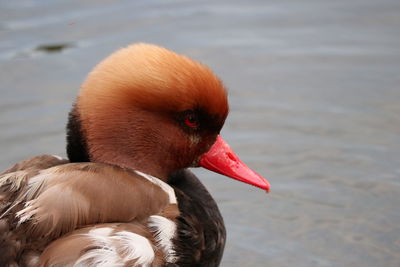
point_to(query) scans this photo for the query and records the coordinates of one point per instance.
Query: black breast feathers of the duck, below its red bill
(201, 235)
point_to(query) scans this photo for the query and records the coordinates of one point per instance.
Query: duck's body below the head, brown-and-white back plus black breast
(29, 236)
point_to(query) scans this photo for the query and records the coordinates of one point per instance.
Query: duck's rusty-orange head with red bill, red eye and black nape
(150, 109)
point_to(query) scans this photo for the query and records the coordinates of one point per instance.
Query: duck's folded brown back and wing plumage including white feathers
(60, 203)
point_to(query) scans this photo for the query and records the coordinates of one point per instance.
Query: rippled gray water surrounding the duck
(315, 107)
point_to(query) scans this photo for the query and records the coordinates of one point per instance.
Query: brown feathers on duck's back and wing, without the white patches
(44, 198)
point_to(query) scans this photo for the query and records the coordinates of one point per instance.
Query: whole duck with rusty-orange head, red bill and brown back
(125, 195)
